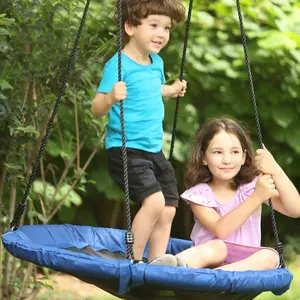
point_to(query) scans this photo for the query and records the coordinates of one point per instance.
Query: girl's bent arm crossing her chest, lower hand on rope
(224, 226)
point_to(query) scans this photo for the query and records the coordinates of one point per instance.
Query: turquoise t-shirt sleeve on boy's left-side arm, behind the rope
(109, 77)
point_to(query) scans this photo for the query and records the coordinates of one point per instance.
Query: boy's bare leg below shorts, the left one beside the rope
(145, 221)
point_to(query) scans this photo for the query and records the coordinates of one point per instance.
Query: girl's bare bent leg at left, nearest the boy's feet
(210, 254)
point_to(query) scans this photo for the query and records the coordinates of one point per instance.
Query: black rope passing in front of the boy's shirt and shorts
(129, 237)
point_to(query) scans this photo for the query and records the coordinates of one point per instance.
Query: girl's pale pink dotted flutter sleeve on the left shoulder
(200, 194)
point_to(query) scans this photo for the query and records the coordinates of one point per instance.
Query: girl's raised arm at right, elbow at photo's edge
(288, 201)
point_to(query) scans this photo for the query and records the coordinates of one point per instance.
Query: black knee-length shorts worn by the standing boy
(148, 173)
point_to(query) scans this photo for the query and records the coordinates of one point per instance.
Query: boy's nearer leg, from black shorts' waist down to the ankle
(144, 190)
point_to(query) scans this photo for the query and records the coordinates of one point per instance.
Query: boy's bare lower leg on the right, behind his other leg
(160, 235)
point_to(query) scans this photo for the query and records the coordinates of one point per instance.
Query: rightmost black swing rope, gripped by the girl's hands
(278, 244)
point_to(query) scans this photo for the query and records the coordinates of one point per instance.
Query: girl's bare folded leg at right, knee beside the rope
(265, 259)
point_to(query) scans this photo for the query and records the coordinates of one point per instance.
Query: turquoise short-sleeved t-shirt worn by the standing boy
(143, 107)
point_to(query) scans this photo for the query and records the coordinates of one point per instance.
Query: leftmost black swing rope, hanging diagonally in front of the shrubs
(22, 205)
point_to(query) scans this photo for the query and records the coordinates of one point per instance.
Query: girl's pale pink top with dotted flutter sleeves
(248, 234)
